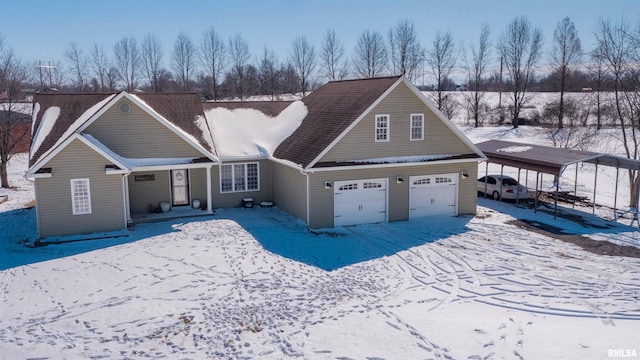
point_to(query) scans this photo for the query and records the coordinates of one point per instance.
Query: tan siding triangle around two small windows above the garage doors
(360, 142)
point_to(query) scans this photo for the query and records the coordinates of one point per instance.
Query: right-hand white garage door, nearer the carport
(431, 195)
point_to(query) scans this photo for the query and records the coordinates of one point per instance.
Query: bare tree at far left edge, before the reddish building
(14, 125)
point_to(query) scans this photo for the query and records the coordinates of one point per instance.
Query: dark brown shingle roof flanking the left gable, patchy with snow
(180, 109)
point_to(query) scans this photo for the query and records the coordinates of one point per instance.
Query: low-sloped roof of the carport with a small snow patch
(547, 159)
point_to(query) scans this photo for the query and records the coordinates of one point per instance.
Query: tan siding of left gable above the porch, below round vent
(138, 135)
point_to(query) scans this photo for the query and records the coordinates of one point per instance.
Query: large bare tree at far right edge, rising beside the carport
(618, 47)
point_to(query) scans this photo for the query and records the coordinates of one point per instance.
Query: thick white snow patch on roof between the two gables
(249, 133)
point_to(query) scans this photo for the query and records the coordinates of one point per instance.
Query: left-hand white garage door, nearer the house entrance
(360, 202)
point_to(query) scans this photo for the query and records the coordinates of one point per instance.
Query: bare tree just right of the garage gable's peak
(442, 58)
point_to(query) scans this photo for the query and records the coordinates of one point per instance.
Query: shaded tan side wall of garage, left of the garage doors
(290, 190)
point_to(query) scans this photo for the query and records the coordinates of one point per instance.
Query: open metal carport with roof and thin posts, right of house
(551, 160)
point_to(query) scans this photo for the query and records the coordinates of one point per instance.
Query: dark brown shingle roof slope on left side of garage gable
(332, 108)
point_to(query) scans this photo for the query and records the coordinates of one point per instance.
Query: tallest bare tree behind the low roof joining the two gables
(212, 57)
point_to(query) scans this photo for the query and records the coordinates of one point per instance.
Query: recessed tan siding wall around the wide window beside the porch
(234, 199)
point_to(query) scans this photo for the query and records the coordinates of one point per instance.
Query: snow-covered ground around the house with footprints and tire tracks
(254, 283)
